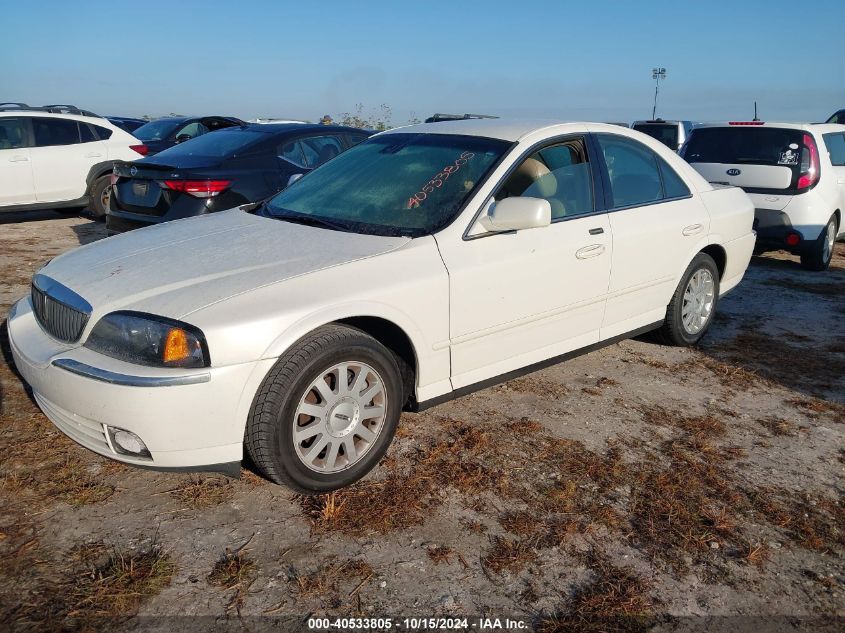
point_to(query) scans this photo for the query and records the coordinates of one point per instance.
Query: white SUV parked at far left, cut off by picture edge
(54, 160)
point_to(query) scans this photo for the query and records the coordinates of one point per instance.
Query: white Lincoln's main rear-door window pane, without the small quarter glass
(632, 167)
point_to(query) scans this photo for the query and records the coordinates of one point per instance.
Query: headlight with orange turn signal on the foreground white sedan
(146, 339)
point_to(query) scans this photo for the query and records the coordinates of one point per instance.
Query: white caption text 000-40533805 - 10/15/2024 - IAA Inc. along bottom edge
(416, 624)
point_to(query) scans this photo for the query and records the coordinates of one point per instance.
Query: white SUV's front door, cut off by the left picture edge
(16, 184)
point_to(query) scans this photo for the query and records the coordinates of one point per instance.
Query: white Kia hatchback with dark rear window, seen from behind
(794, 173)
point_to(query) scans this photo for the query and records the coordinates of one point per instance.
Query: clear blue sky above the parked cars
(588, 60)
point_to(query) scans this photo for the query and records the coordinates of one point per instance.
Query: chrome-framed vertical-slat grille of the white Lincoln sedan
(60, 311)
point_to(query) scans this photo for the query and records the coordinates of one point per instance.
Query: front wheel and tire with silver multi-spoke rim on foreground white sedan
(344, 444)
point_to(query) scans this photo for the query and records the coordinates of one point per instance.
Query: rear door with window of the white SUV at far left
(64, 151)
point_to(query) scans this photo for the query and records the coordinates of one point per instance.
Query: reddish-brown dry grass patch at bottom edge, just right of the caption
(615, 600)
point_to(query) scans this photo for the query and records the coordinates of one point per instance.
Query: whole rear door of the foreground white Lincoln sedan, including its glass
(657, 226)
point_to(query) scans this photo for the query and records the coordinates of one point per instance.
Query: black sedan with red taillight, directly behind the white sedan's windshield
(219, 171)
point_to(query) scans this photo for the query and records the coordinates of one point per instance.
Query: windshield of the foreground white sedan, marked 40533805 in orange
(394, 184)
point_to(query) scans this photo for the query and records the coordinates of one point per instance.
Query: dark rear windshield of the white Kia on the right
(745, 146)
